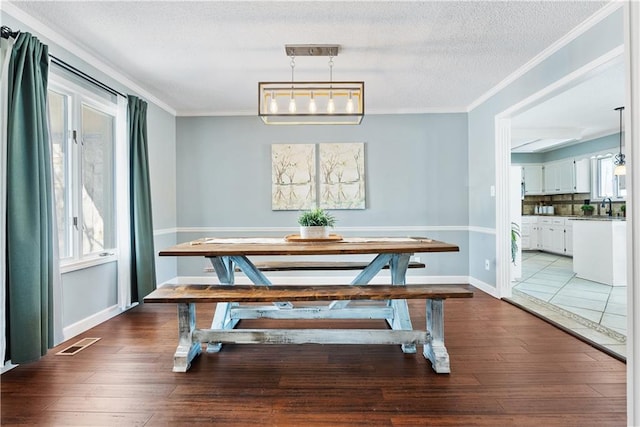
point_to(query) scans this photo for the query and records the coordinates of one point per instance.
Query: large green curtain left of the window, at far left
(30, 223)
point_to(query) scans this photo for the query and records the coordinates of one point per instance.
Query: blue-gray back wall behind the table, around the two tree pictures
(416, 177)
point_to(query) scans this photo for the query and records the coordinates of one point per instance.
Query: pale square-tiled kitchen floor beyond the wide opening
(593, 310)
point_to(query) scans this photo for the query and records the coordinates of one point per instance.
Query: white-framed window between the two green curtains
(83, 136)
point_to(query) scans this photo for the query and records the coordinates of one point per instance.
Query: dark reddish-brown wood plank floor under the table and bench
(508, 368)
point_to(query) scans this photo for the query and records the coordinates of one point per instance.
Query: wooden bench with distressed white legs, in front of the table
(190, 338)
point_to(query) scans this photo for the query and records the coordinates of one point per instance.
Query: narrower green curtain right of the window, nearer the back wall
(143, 270)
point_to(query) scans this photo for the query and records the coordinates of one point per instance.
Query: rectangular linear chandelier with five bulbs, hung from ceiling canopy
(321, 102)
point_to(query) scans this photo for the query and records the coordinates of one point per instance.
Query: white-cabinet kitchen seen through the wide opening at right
(570, 266)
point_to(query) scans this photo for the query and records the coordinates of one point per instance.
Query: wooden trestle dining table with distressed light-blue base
(230, 254)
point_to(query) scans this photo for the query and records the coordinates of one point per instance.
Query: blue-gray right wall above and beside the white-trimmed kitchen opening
(594, 43)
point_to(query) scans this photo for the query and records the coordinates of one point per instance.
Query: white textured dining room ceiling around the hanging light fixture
(207, 57)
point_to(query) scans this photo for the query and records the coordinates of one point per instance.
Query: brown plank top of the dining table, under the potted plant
(215, 247)
